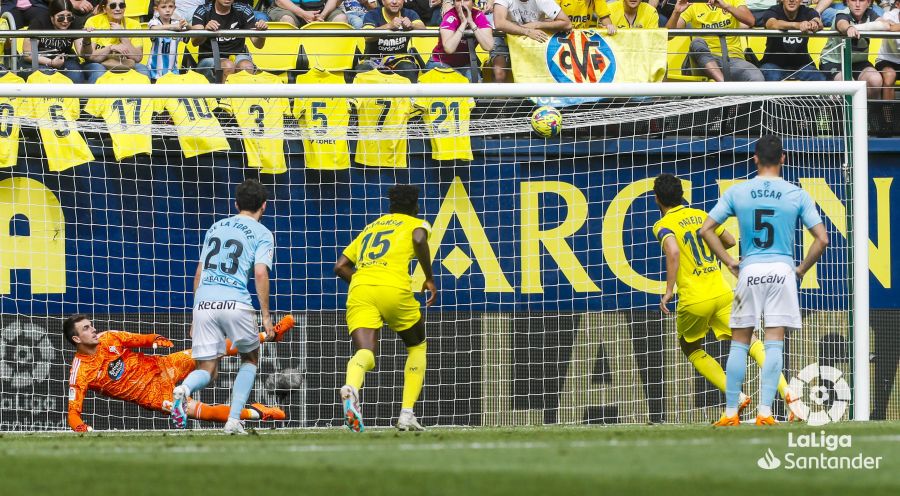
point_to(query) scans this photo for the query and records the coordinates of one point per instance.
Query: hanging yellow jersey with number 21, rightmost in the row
(447, 118)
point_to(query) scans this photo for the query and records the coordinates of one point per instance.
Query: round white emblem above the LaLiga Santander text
(820, 394)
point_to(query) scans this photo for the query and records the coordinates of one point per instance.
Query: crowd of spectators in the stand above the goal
(784, 57)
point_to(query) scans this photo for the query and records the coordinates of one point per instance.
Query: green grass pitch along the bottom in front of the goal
(633, 460)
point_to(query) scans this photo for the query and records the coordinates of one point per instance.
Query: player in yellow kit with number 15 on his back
(376, 264)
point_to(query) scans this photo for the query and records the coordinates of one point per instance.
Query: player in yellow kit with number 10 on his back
(704, 298)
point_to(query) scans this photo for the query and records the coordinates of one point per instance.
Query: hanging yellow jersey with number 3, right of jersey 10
(262, 123)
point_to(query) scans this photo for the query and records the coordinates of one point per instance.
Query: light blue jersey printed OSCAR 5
(767, 209)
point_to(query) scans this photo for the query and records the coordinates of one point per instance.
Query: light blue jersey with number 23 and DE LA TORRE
(231, 249)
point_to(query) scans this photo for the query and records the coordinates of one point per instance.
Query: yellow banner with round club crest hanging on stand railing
(586, 56)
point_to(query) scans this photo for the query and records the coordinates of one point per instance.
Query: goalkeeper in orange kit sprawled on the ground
(106, 363)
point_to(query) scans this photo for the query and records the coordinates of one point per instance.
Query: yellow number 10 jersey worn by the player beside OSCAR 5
(699, 277)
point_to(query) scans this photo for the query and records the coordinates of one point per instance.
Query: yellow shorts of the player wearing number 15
(373, 306)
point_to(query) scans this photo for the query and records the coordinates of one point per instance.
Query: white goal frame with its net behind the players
(543, 251)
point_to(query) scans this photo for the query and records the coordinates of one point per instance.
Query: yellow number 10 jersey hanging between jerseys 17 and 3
(198, 129)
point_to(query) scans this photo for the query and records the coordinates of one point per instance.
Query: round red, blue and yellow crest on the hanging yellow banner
(580, 57)
